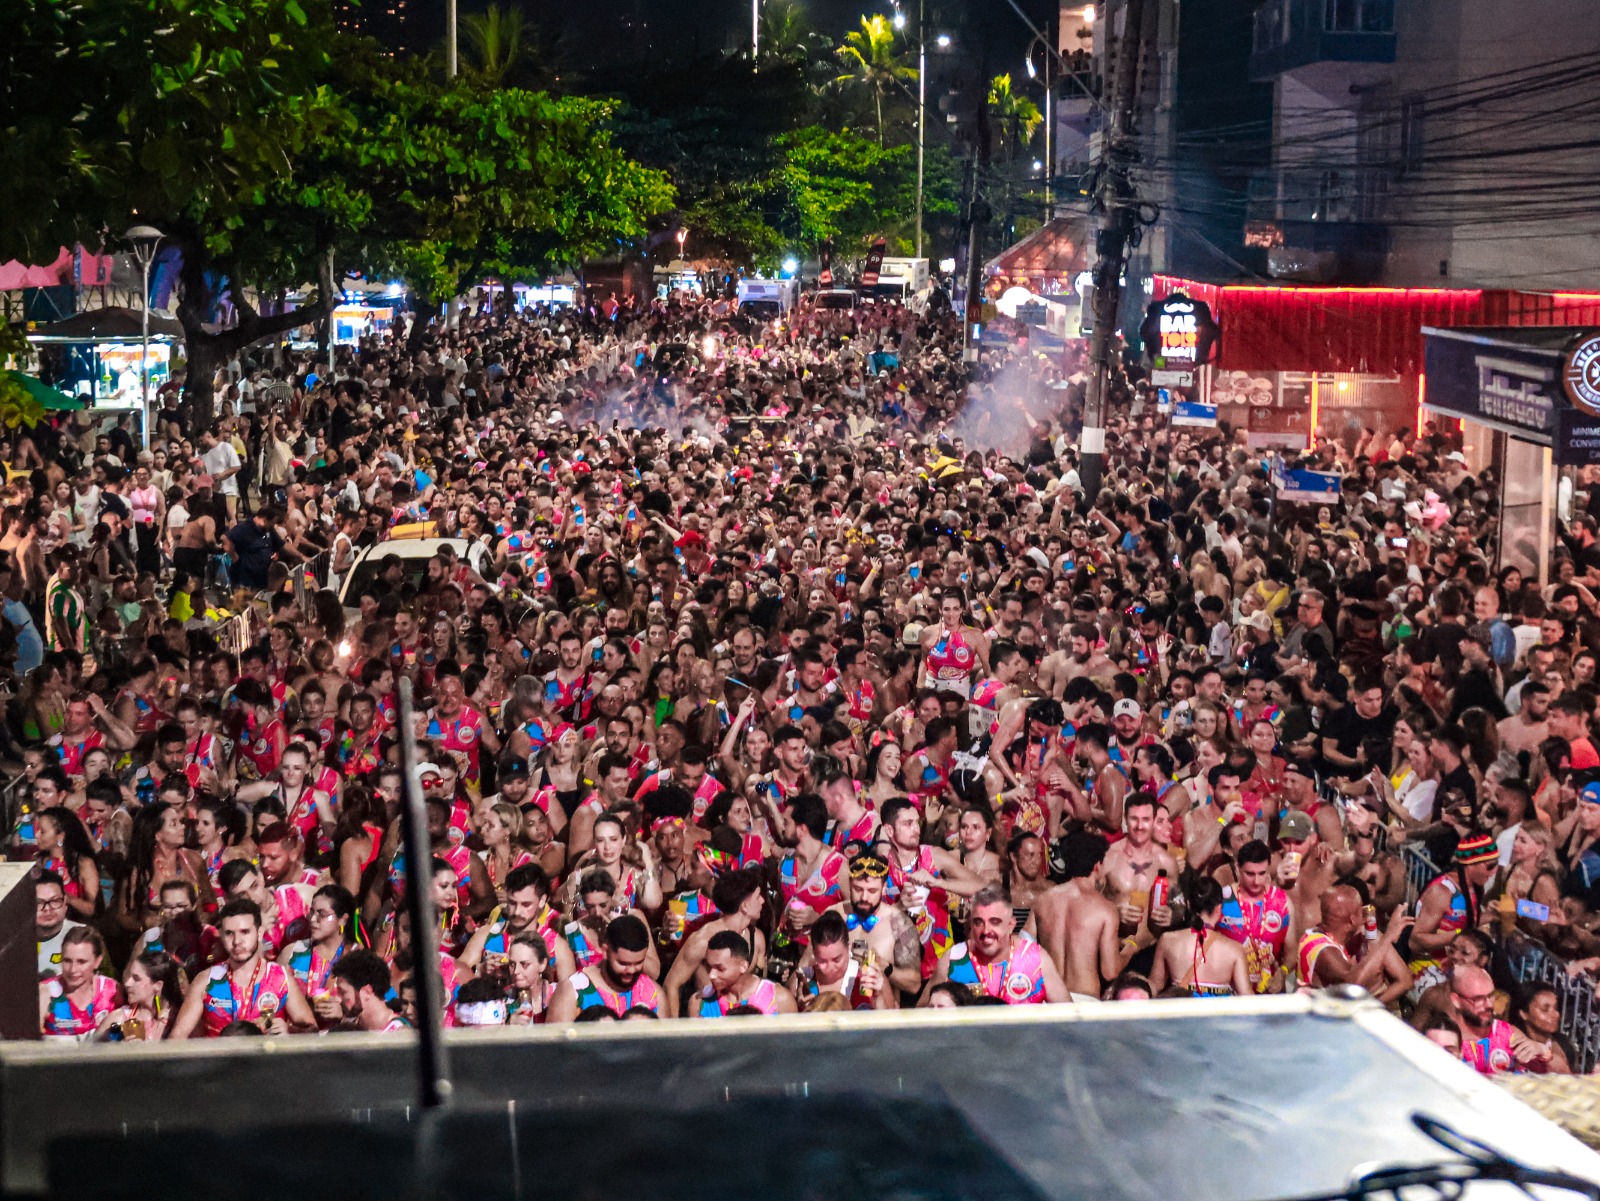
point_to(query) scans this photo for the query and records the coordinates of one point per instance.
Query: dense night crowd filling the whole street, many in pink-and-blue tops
(770, 668)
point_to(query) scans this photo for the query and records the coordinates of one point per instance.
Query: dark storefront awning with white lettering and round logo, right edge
(1537, 385)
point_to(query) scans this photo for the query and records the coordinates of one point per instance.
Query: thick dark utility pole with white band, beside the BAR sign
(1119, 217)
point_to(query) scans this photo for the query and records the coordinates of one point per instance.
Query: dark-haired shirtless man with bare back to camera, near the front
(1074, 922)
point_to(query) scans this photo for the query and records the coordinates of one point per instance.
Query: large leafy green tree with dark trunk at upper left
(274, 151)
